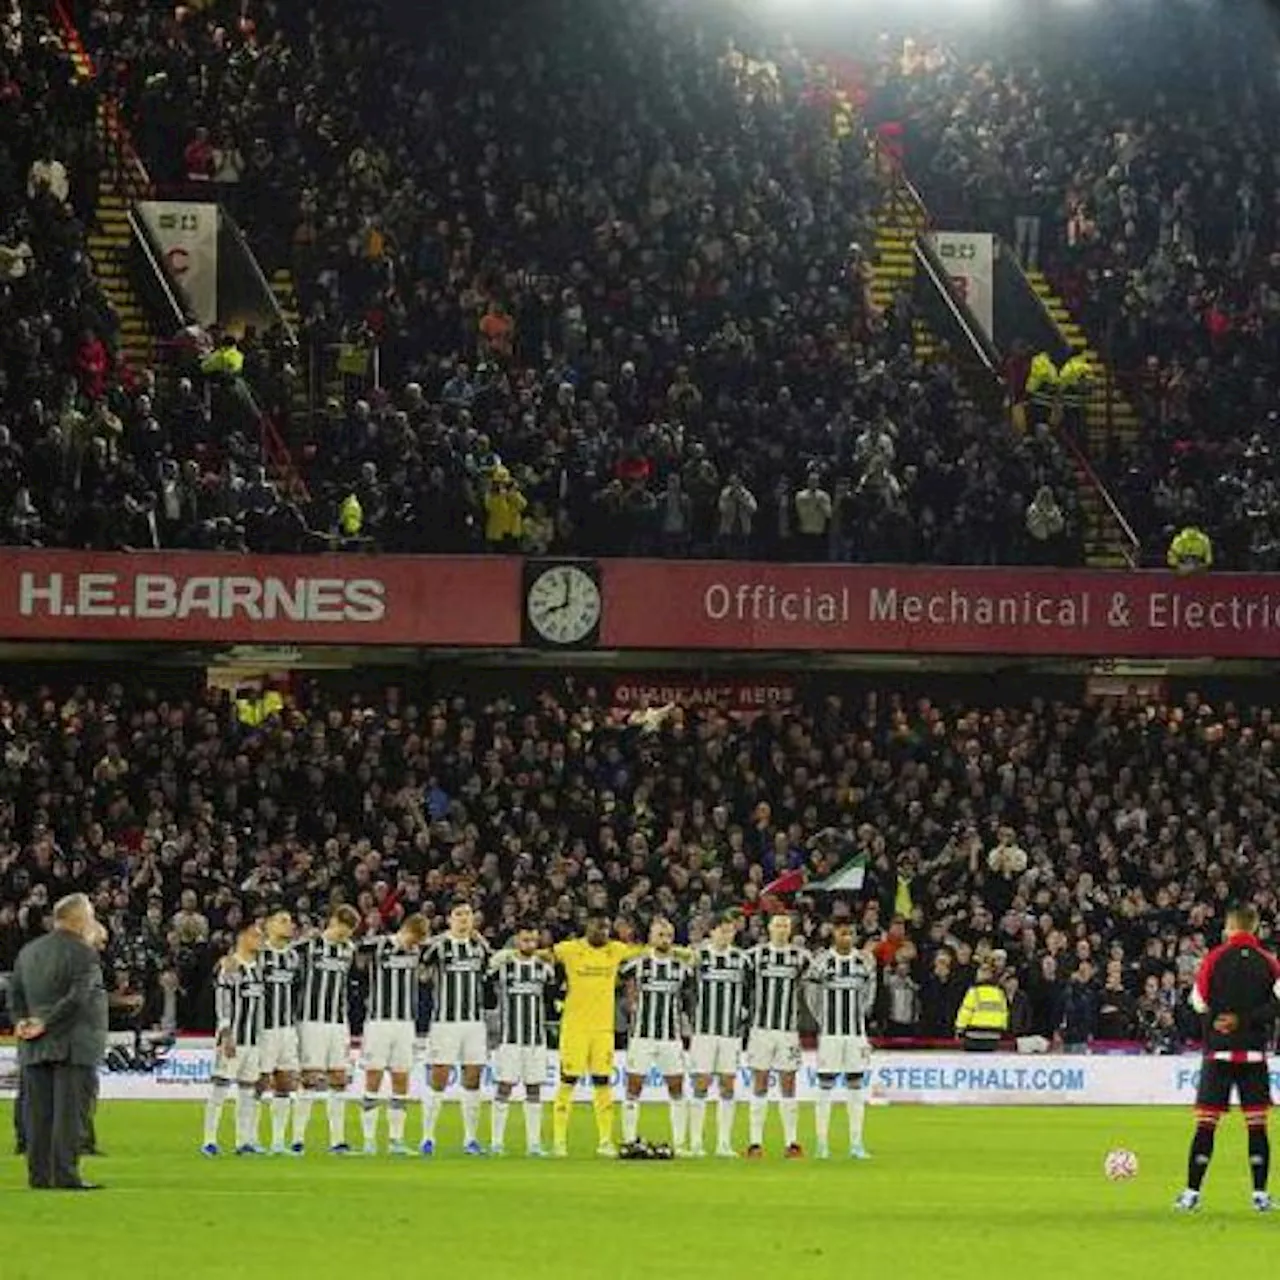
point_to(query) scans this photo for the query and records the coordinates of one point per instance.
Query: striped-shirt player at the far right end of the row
(844, 981)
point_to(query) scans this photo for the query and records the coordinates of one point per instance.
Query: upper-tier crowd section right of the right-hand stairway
(1132, 157)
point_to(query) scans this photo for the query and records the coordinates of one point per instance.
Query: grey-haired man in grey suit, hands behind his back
(60, 1009)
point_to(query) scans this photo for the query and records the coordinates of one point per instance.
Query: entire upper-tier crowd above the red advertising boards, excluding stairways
(616, 267)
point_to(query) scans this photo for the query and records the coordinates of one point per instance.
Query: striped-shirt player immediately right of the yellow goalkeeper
(659, 979)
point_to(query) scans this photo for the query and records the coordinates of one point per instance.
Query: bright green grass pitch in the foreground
(950, 1192)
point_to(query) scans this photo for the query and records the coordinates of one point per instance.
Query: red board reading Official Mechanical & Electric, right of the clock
(729, 606)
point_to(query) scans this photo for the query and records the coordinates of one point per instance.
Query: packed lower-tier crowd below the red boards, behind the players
(1085, 852)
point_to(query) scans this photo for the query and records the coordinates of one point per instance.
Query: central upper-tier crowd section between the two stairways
(612, 264)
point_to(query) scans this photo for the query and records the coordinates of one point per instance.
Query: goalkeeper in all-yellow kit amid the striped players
(591, 966)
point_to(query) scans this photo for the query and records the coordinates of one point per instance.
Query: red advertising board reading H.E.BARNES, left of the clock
(260, 600)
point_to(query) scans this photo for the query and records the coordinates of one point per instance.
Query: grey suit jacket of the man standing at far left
(58, 979)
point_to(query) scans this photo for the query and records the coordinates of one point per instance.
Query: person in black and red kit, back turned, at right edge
(1236, 993)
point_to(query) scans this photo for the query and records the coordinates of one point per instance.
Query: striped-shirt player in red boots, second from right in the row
(779, 967)
